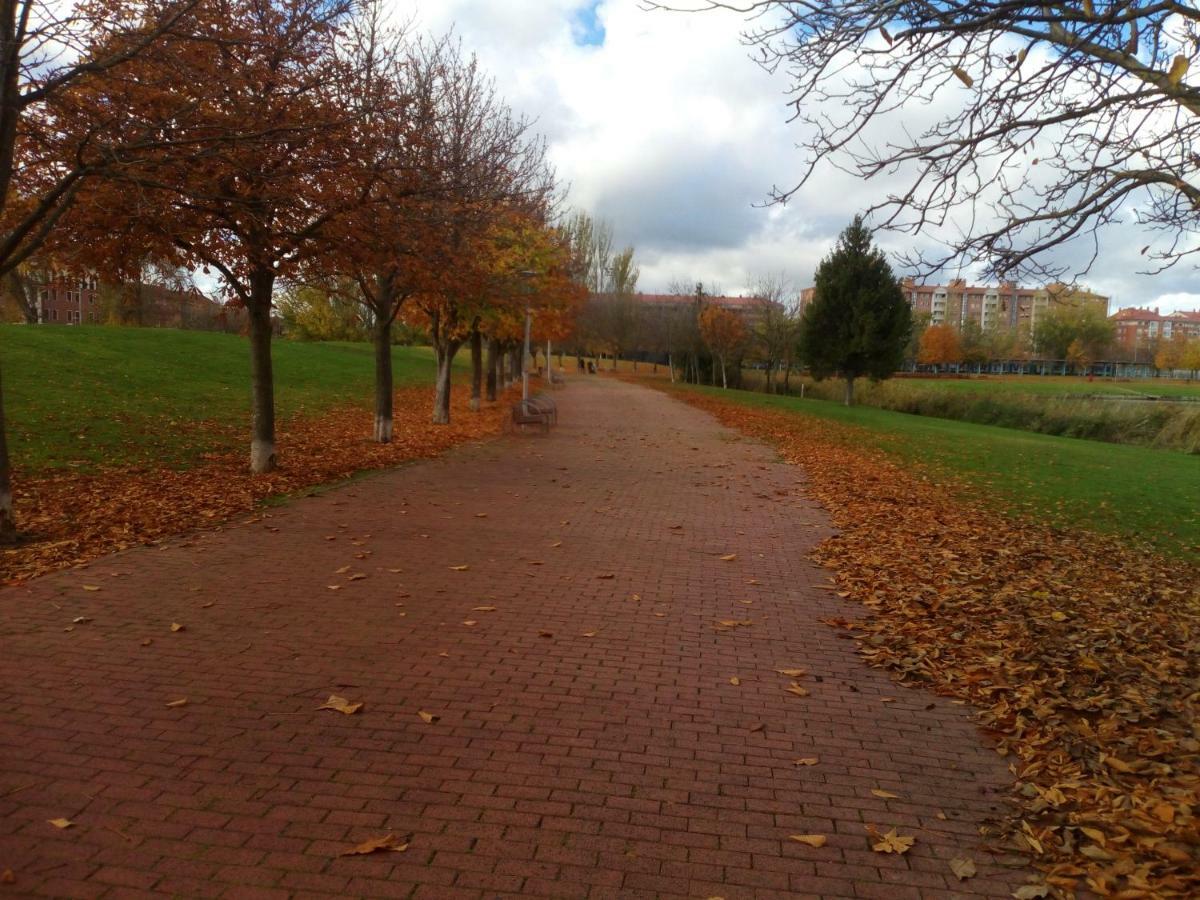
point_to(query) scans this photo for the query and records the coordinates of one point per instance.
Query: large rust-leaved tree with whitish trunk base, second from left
(268, 93)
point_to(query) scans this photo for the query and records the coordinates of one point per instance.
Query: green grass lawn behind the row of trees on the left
(83, 397)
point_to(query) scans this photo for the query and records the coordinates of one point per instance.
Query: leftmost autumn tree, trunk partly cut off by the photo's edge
(50, 143)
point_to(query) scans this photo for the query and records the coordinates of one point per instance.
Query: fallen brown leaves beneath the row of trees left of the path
(71, 518)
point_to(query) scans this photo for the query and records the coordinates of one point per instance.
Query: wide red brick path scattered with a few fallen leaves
(619, 765)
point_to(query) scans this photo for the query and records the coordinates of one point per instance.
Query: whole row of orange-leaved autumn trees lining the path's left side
(281, 142)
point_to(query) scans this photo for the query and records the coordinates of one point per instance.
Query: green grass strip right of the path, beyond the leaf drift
(1153, 495)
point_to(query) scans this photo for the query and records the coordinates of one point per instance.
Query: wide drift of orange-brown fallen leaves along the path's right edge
(1081, 653)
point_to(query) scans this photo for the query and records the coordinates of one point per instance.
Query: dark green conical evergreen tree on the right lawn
(859, 322)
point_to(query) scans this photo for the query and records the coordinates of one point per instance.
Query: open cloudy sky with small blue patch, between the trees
(664, 127)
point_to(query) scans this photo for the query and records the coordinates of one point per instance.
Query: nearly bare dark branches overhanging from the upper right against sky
(1063, 118)
